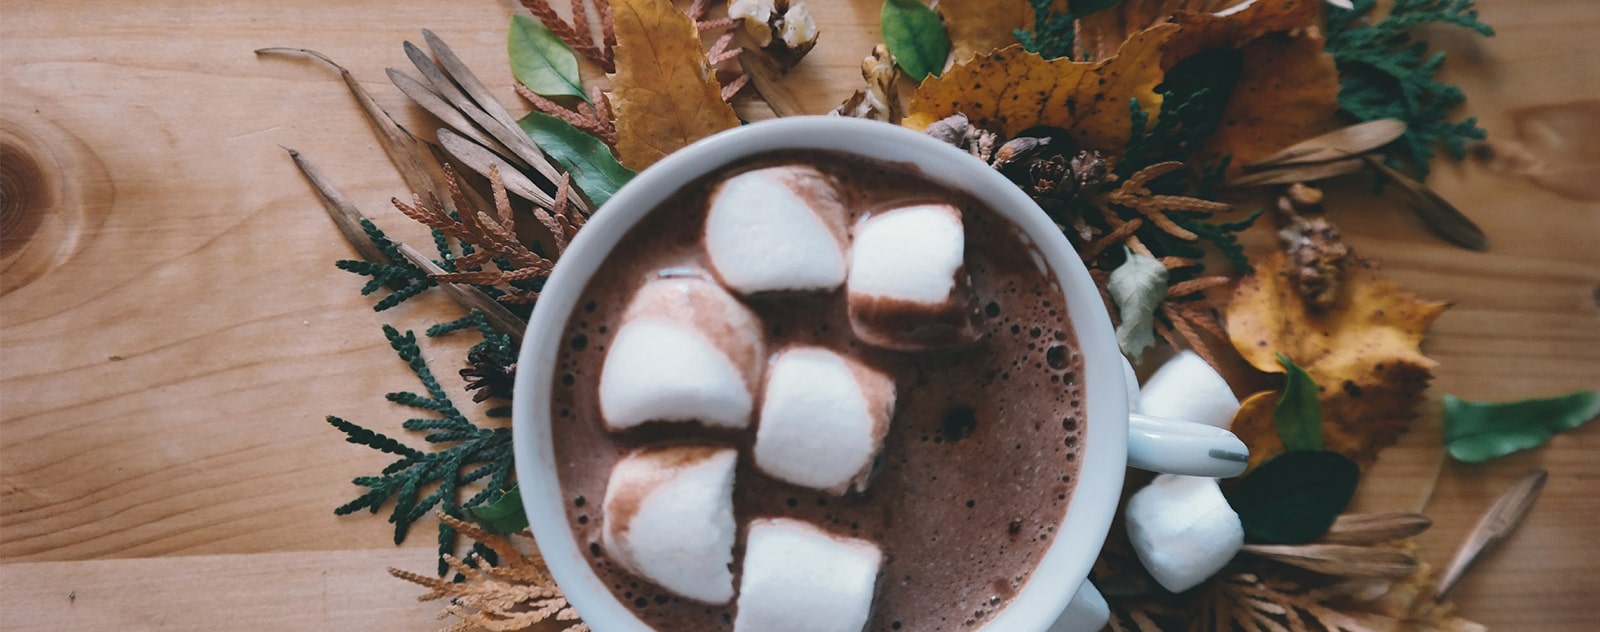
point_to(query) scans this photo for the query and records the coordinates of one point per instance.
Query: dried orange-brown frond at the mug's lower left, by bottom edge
(514, 594)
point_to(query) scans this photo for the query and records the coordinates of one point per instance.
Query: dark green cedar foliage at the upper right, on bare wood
(1386, 74)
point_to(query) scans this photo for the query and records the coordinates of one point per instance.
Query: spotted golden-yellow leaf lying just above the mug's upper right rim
(1012, 90)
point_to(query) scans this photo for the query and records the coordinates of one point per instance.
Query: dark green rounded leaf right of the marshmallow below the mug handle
(1295, 497)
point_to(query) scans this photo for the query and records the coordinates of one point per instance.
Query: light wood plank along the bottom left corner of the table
(297, 591)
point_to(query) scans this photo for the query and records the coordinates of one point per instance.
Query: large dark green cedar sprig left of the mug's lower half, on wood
(420, 481)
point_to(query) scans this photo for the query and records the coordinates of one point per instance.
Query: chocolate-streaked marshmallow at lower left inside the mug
(670, 519)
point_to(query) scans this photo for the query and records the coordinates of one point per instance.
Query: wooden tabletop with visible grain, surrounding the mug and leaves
(175, 332)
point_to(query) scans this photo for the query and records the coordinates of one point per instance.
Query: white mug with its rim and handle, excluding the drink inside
(1113, 441)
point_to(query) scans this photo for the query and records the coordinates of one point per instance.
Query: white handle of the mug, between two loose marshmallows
(1185, 447)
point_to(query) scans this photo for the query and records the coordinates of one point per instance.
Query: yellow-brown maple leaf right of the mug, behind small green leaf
(1362, 353)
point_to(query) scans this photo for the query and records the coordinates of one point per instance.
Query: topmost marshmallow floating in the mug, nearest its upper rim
(777, 230)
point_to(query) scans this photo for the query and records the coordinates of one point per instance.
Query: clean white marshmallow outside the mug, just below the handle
(1183, 530)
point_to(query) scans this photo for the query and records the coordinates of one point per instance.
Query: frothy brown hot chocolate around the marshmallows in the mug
(978, 463)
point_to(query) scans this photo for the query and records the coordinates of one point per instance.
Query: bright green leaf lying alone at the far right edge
(1481, 431)
